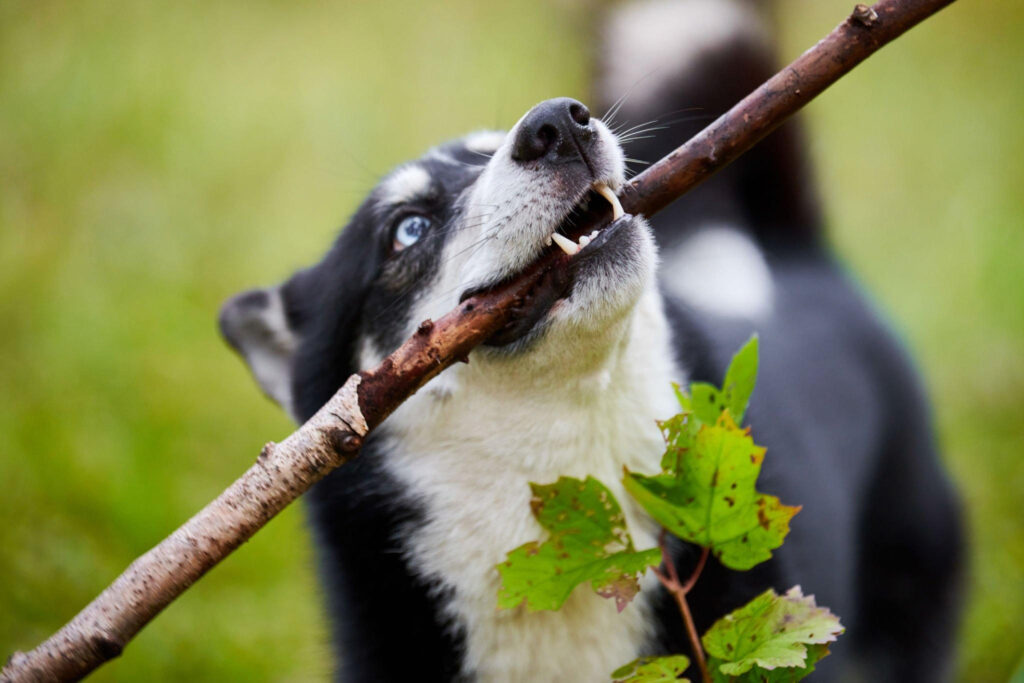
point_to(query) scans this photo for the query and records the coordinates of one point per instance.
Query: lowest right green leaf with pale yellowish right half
(771, 635)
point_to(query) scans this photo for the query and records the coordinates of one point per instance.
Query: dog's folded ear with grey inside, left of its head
(265, 326)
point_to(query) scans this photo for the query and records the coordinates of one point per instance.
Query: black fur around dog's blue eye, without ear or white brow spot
(365, 286)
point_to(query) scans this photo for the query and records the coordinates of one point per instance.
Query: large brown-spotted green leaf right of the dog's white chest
(709, 497)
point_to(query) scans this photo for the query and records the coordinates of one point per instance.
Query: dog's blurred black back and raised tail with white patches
(838, 404)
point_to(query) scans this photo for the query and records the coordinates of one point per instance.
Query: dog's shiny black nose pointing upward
(558, 129)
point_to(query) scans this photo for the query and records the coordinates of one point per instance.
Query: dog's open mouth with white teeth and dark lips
(572, 244)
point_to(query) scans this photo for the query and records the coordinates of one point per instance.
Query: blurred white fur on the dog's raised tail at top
(651, 44)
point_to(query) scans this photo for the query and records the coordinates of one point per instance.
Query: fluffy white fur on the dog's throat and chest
(467, 452)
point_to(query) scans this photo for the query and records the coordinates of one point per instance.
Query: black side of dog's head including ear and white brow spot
(304, 333)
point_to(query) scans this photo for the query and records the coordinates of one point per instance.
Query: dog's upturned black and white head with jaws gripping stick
(465, 217)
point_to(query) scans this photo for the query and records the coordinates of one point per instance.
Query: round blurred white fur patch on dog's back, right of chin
(721, 271)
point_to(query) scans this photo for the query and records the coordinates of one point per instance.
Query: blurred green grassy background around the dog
(156, 158)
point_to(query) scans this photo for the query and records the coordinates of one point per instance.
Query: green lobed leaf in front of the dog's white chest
(588, 542)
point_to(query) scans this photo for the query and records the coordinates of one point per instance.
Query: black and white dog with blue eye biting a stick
(410, 533)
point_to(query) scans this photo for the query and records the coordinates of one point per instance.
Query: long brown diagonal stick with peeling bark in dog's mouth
(284, 472)
